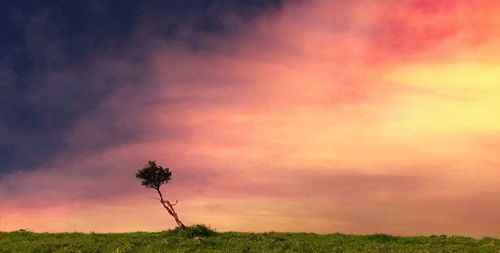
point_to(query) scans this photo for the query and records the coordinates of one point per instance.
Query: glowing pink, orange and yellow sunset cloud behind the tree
(294, 114)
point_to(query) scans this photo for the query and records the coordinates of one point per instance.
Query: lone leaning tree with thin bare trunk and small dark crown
(154, 176)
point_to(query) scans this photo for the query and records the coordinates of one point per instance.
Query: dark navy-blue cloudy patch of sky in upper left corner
(49, 56)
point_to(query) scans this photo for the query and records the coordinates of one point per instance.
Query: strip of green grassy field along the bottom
(201, 240)
